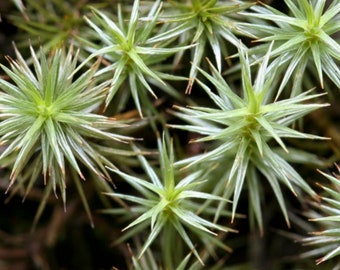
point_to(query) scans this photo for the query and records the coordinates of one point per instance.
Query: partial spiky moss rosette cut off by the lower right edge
(327, 241)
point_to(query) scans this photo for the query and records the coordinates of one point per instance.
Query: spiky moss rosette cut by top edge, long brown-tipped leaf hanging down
(205, 22)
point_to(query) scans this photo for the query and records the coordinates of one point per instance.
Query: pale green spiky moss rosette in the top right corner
(304, 36)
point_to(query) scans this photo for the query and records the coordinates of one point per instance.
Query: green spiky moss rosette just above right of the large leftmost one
(133, 50)
